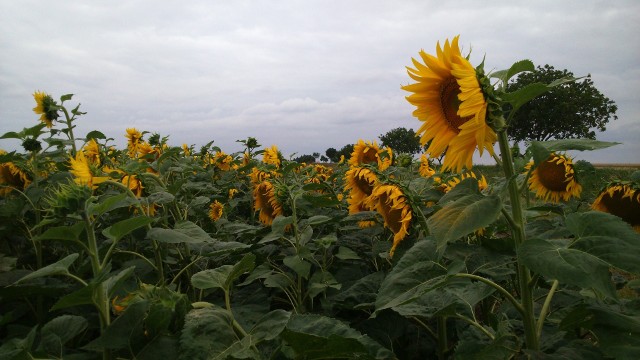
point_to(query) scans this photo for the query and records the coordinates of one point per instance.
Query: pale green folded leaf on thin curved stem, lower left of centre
(223, 276)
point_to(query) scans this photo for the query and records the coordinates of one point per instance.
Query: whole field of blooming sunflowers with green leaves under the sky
(177, 252)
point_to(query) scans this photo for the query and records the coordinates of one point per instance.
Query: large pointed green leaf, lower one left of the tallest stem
(415, 274)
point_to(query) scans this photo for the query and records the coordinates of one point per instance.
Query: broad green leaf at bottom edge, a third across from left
(206, 333)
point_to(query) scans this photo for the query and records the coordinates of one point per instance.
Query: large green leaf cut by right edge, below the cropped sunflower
(607, 237)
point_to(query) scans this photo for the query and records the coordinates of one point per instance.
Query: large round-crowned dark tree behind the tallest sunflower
(572, 110)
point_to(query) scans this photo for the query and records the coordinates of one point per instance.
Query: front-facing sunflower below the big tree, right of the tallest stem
(554, 179)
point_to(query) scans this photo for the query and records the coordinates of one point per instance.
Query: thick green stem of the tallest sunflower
(524, 276)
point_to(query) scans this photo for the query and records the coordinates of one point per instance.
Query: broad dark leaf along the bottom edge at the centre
(320, 337)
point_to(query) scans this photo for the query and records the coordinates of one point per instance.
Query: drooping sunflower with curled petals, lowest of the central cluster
(392, 204)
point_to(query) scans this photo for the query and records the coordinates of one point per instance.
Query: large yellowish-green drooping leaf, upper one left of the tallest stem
(463, 216)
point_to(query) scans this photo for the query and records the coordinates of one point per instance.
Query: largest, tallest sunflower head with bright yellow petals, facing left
(451, 104)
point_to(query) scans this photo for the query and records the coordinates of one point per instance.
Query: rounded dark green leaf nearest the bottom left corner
(59, 331)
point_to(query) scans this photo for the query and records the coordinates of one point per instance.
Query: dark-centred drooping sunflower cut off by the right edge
(622, 200)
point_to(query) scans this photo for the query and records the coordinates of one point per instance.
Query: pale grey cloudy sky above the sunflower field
(304, 75)
